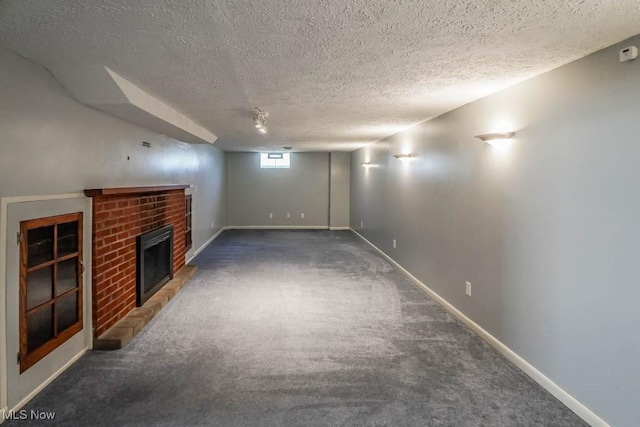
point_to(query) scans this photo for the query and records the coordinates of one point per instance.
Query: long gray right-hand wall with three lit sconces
(547, 233)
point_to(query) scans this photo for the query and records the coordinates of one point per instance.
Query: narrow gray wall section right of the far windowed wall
(339, 190)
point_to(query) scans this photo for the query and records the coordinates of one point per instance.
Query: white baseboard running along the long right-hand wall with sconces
(567, 399)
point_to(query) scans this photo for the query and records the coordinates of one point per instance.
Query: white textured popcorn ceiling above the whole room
(332, 74)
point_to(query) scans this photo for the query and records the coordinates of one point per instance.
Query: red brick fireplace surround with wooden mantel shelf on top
(119, 216)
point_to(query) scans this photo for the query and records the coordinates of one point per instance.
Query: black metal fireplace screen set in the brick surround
(154, 262)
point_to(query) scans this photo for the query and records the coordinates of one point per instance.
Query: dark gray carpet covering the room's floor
(299, 328)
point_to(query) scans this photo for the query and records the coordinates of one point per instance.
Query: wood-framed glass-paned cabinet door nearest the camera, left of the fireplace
(51, 269)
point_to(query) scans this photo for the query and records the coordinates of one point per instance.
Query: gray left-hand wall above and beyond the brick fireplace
(51, 144)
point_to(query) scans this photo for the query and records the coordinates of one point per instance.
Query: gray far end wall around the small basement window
(253, 193)
